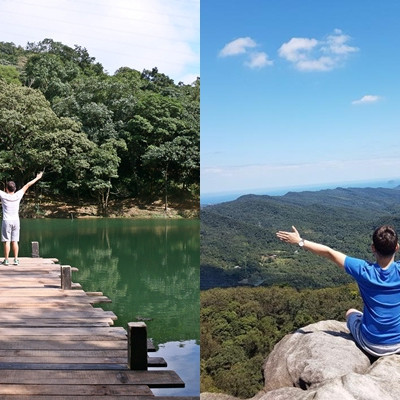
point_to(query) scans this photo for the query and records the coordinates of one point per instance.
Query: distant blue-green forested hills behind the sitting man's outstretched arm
(239, 246)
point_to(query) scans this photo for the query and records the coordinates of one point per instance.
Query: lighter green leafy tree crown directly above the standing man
(32, 137)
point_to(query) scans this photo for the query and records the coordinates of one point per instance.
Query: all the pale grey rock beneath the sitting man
(321, 361)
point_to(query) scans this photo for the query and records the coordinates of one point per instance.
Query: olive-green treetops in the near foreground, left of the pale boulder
(240, 326)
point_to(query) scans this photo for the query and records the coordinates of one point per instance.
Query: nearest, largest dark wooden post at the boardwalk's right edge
(137, 346)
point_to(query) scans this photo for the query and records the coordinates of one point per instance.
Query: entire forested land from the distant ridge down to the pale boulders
(256, 289)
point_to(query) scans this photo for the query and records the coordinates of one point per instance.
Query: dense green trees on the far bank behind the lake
(97, 136)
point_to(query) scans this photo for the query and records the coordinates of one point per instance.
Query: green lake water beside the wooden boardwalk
(148, 268)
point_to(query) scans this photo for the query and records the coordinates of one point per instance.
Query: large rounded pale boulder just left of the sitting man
(312, 355)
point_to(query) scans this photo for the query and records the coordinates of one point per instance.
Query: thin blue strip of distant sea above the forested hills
(221, 197)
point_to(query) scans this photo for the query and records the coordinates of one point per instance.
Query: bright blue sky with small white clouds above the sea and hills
(298, 93)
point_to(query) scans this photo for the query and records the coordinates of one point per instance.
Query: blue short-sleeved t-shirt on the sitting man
(380, 291)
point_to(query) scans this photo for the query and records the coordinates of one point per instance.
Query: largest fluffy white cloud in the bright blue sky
(317, 55)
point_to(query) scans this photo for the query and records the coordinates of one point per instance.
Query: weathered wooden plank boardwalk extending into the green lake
(55, 345)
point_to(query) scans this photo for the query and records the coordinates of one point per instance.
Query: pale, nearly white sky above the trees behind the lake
(139, 34)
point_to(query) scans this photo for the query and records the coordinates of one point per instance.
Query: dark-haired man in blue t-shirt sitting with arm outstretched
(376, 329)
